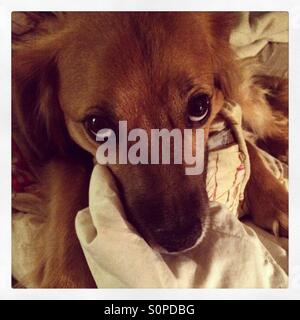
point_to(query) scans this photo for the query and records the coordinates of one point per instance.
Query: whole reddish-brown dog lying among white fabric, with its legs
(74, 73)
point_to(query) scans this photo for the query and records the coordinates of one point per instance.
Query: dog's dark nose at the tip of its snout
(180, 238)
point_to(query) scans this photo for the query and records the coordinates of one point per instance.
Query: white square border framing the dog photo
(6, 7)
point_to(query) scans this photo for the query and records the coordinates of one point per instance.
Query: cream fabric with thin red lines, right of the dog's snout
(228, 168)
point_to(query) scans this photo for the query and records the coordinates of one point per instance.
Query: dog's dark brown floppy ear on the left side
(37, 116)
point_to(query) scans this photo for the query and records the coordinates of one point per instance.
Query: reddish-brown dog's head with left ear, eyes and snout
(77, 73)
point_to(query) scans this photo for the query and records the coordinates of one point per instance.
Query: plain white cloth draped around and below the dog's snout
(229, 255)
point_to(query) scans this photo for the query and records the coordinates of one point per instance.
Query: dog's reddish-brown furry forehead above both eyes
(130, 51)
